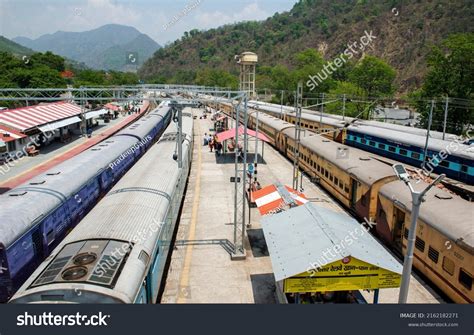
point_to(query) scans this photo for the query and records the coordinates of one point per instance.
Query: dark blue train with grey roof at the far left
(37, 215)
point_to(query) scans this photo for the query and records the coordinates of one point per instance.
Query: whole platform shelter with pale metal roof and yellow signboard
(322, 256)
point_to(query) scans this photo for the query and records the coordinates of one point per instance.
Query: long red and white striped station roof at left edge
(26, 118)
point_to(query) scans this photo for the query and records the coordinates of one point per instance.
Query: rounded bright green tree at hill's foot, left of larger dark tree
(374, 76)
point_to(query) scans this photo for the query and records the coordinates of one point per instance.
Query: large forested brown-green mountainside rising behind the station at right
(404, 31)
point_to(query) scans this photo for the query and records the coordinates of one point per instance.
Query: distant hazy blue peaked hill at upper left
(110, 47)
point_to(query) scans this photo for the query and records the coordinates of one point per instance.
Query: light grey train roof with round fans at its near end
(128, 221)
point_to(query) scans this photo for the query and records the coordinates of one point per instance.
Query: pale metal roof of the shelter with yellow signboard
(298, 238)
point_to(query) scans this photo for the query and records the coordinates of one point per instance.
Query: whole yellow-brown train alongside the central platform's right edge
(370, 189)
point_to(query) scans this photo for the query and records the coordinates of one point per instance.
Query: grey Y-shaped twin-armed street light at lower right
(417, 199)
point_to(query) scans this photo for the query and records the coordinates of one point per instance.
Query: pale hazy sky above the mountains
(33, 18)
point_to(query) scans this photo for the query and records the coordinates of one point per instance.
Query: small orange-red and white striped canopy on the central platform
(270, 201)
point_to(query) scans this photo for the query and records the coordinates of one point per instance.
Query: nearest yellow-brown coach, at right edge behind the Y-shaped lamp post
(444, 237)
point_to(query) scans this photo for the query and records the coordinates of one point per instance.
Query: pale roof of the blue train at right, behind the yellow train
(464, 151)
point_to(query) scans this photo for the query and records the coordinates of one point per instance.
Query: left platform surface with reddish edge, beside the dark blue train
(28, 167)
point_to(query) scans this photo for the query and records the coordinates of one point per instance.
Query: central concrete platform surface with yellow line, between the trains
(201, 269)
